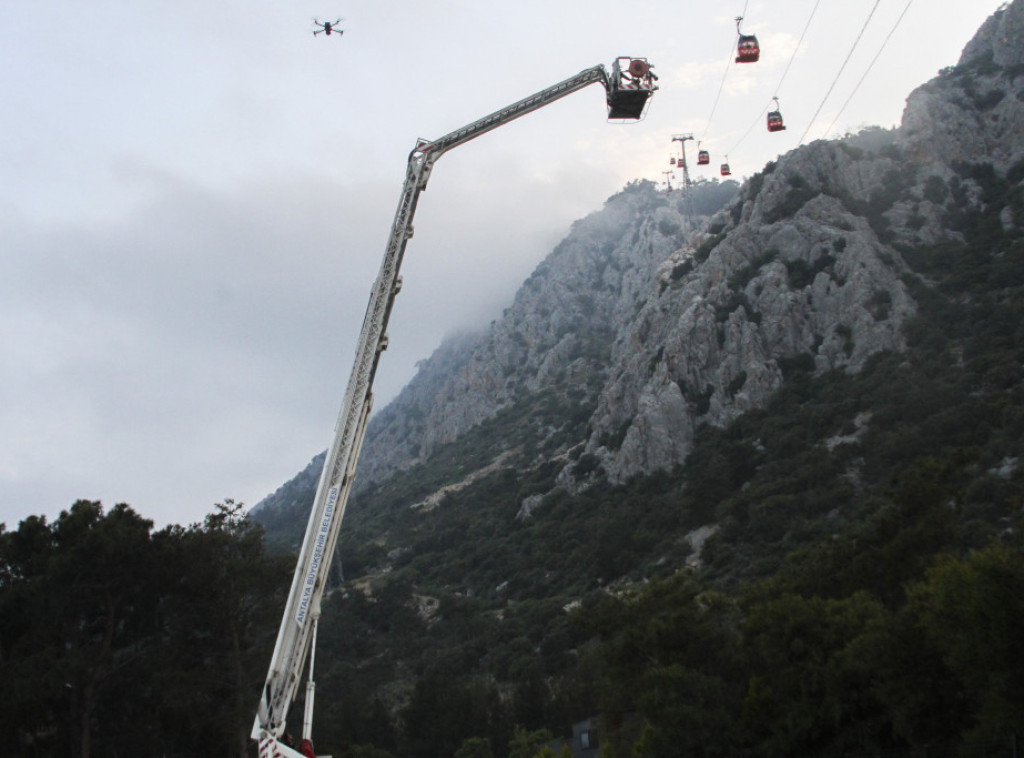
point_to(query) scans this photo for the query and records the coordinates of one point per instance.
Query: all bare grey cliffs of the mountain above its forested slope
(648, 321)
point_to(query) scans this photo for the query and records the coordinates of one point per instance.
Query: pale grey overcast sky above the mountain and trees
(195, 198)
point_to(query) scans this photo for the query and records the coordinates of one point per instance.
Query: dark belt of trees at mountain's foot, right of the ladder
(884, 640)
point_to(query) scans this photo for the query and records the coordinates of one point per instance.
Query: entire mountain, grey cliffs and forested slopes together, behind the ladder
(708, 430)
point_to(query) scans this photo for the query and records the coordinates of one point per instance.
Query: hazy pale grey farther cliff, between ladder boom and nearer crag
(557, 334)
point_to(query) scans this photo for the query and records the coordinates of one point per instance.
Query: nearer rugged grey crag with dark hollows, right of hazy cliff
(708, 347)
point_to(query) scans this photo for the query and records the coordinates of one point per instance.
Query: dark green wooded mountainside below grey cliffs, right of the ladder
(849, 502)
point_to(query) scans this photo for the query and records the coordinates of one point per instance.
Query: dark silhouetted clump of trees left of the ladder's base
(118, 641)
